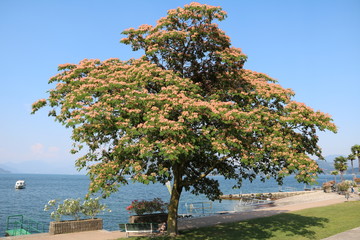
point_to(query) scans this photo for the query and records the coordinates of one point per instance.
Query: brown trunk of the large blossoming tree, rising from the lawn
(172, 227)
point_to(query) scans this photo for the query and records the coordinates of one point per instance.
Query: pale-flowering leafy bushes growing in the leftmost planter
(74, 208)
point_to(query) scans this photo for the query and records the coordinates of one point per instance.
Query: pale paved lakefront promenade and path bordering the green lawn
(314, 199)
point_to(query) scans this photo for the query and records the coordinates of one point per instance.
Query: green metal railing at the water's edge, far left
(19, 225)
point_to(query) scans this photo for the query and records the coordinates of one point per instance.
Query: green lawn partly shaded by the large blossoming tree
(314, 223)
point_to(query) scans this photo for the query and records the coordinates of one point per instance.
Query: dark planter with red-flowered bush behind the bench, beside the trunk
(153, 211)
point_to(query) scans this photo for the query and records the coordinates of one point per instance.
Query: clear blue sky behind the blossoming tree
(310, 46)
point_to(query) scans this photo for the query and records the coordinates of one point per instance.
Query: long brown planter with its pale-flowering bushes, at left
(74, 208)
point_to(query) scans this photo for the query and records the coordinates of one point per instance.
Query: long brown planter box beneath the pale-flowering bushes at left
(75, 226)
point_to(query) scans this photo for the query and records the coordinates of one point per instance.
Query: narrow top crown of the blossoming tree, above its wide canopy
(188, 42)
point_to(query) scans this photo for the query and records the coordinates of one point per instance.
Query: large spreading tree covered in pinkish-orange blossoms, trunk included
(185, 109)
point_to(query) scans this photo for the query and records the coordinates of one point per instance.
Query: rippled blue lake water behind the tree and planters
(41, 188)
